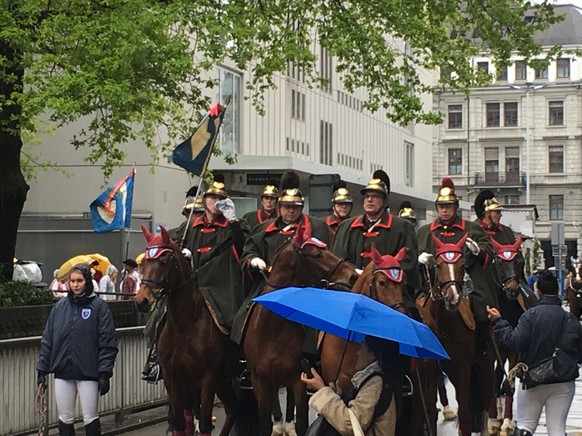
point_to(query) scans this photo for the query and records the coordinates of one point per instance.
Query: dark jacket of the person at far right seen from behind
(539, 331)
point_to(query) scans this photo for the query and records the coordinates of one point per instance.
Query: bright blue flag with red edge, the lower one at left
(112, 209)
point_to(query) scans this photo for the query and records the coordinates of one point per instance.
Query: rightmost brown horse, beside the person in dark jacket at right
(508, 266)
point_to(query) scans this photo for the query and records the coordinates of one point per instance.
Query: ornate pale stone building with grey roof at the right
(521, 136)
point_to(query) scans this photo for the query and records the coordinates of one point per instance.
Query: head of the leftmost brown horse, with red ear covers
(164, 268)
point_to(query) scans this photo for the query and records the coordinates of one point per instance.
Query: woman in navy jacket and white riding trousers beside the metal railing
(79, 346)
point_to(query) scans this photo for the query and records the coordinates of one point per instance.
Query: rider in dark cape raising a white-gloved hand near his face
(215, 243)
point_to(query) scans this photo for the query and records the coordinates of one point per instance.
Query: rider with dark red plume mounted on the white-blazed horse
(449, 228)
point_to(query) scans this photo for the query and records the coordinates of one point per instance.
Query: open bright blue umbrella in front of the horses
(352, 316)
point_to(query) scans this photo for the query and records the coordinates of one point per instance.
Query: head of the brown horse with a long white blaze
(450, 271)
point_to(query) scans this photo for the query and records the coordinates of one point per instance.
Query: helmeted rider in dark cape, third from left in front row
(354, 237)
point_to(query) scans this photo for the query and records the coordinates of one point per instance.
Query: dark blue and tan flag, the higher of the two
(194, 153)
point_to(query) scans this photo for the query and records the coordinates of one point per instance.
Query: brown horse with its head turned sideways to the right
(272, 345)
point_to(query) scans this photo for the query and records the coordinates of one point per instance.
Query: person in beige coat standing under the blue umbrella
(371, 405)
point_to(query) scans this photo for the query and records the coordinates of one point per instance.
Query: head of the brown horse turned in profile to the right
(307, 261)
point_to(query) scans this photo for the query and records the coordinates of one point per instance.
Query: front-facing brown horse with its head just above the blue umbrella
(383, 280)
